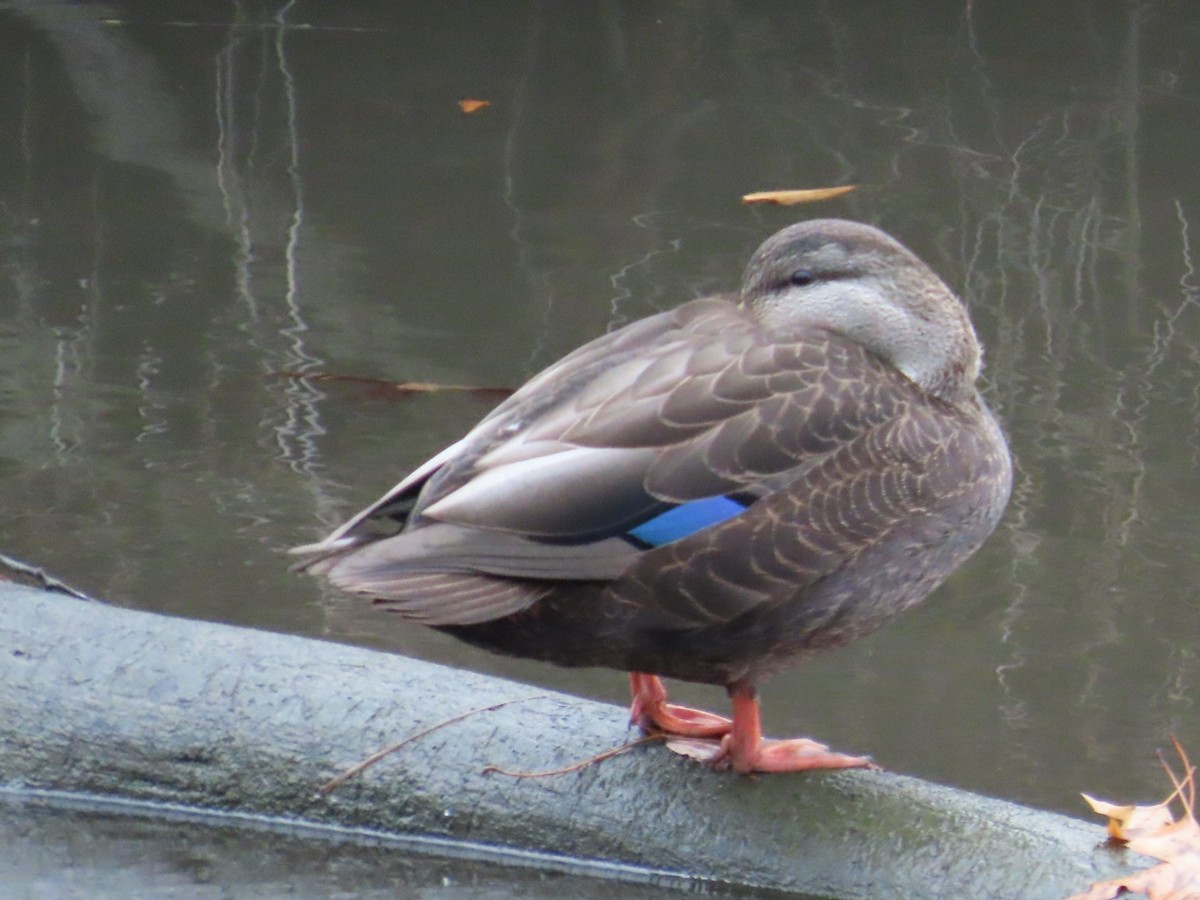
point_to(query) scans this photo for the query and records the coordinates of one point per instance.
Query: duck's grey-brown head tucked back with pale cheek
(859, 281)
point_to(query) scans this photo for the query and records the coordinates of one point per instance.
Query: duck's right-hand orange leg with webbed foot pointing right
(746, 751)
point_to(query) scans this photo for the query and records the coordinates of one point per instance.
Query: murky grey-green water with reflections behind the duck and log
(199, 200)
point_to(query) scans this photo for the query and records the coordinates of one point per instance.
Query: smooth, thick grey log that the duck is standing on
(142, 707)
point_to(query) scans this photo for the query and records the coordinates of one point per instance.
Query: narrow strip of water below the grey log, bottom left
(76, 853)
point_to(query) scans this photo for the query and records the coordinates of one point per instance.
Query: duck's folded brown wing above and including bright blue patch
(695, 418)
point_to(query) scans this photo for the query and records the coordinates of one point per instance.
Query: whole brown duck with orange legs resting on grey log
(713, 494)
